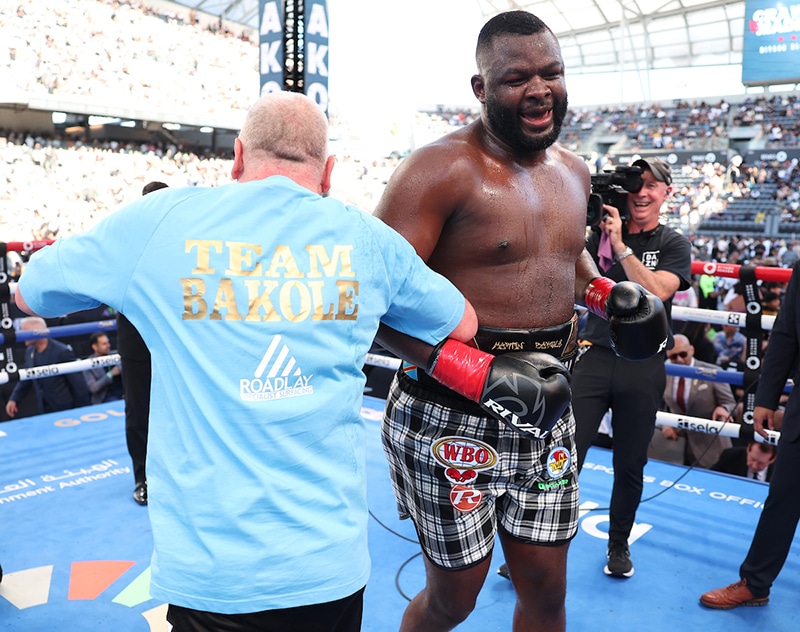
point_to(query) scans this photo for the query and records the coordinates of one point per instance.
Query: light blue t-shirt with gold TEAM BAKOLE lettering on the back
(259, 302)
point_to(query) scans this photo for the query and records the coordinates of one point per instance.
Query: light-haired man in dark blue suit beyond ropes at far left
(59, 392)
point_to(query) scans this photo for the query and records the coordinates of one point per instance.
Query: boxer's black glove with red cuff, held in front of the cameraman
(637, 318)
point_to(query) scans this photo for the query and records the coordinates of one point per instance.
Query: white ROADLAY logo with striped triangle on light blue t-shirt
(277, 376)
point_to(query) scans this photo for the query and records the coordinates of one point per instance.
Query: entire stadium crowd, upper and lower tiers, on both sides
(162, 58)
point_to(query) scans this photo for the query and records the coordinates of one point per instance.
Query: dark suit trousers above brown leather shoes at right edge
(777, 524)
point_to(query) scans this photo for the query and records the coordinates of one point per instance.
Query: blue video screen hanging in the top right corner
(771, 42)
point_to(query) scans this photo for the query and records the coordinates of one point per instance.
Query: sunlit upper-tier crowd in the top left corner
(113, 51)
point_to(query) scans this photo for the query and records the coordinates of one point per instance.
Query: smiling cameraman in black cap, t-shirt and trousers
(636, 247)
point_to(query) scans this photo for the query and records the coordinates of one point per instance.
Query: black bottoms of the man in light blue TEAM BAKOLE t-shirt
(343, 615)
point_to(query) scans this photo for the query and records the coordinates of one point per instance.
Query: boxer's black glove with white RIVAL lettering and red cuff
(528, 391)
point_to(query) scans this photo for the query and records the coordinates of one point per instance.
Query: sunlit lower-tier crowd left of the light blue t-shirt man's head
(53, 187)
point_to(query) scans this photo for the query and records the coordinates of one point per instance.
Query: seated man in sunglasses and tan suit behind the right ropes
(697, 398)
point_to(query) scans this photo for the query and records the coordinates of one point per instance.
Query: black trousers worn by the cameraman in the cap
(633, 391)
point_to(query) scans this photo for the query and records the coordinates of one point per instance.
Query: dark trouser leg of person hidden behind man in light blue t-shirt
(136, 374)
